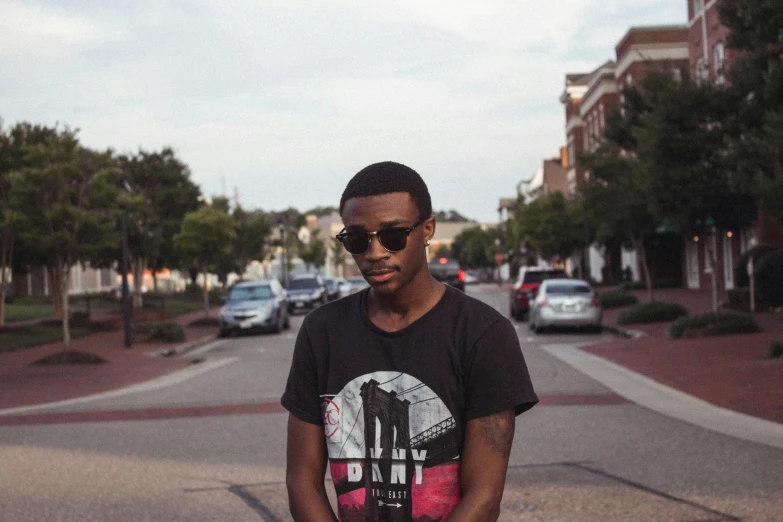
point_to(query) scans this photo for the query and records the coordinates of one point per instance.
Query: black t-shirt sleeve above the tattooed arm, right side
(496, 376)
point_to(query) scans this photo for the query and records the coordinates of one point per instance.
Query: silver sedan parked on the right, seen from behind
(566, 302)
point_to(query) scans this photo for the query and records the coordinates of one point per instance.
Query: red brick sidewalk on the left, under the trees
(23, 384)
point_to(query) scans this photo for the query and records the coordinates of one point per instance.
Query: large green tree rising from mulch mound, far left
(66, 197)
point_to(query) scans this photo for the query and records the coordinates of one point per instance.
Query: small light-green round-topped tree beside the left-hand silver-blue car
(204, 240)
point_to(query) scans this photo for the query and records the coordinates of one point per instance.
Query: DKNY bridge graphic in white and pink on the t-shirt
(393, 450)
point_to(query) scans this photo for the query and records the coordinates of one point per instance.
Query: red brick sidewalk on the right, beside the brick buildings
(729, 371)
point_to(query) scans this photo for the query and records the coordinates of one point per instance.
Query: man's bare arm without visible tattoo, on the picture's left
(305, 470)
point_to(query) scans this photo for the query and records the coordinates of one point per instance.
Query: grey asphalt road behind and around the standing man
(582, 454)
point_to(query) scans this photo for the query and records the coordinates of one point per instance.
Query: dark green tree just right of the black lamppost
(161, 193)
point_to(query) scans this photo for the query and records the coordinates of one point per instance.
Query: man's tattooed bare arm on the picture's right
(484, 464)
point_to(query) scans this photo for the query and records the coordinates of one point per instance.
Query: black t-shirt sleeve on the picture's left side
(301, 396)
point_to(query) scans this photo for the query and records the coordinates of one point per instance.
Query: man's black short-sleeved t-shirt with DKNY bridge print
(394, 404)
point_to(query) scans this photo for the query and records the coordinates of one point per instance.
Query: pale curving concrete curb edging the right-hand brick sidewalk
(668, 401)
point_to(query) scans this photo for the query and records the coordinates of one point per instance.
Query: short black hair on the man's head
(387, 177)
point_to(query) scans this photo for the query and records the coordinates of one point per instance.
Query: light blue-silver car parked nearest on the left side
(253, 306)
